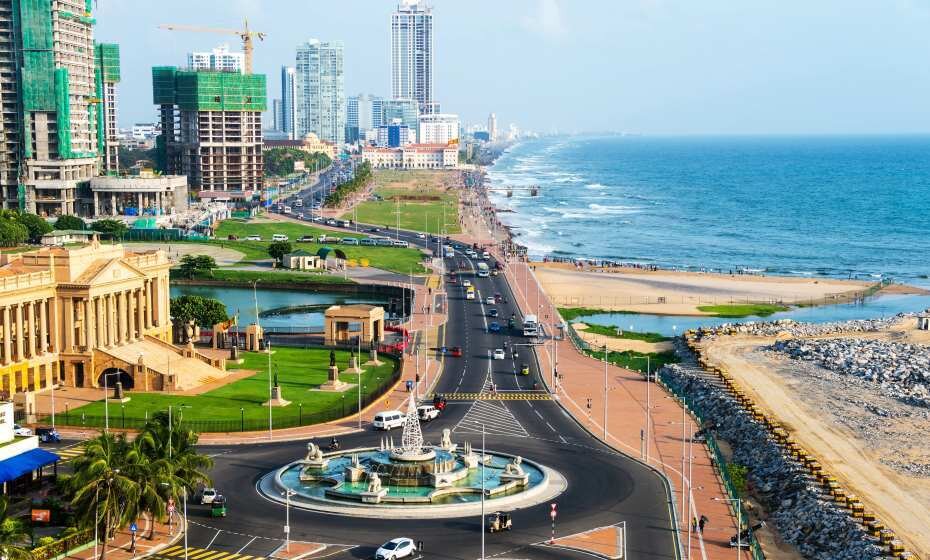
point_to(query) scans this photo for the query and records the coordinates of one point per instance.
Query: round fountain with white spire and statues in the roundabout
(443, 478)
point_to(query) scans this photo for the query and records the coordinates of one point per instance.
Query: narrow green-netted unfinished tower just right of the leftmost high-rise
(107, 75)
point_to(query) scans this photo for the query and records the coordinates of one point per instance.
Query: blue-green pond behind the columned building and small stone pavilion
(278, 308)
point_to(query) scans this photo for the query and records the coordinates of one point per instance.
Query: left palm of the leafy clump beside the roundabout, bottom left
(105, 484)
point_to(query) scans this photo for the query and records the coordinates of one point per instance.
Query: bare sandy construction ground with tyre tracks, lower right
(825, 414)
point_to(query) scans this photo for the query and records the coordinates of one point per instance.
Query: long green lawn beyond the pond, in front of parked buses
(395, 259)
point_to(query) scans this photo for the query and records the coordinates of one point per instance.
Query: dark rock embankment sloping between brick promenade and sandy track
(802, 515)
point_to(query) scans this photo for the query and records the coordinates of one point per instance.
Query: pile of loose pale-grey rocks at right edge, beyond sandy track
(902, 371)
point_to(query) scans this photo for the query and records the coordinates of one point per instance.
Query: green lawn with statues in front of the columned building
(298, 369)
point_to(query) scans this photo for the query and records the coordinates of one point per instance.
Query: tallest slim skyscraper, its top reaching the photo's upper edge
(412, 54)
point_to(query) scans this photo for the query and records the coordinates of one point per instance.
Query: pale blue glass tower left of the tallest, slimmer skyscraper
(321, 102)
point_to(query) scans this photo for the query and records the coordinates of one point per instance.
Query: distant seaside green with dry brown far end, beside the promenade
(413, 200)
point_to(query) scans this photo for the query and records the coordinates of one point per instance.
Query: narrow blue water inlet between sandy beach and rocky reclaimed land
(671, 325)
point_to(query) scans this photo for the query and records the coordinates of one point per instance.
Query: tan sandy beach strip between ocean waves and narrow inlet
(623, 289)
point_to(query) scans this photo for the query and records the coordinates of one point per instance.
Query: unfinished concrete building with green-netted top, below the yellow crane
(211, 126)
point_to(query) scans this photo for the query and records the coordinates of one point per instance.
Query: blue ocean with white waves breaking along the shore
(856, 206)
